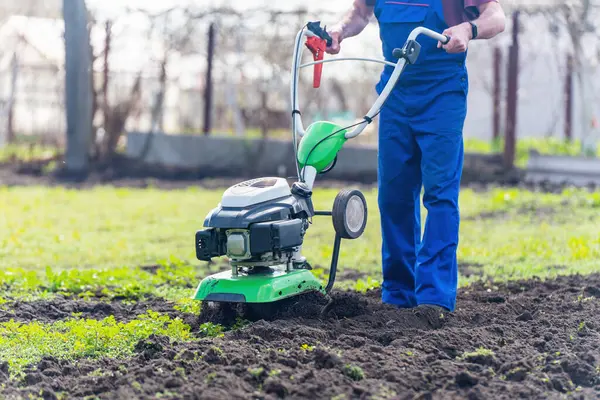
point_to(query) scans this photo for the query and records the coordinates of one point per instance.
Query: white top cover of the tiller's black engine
(255, 191)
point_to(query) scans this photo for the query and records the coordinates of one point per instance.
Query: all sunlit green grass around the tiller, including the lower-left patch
(92, 244)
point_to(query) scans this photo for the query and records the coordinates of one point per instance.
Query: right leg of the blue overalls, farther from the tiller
(440, 139)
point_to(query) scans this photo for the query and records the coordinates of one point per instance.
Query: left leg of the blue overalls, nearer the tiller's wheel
(399, 205)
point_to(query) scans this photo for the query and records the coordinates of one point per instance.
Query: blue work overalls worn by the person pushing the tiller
(420, 147)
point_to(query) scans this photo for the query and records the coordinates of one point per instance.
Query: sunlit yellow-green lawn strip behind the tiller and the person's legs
(121, 229)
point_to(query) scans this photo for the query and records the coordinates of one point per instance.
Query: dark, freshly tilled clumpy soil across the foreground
(541, 340)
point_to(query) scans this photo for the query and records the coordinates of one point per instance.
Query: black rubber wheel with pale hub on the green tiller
(349, 213)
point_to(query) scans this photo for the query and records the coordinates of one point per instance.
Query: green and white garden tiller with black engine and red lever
(260, 224)
